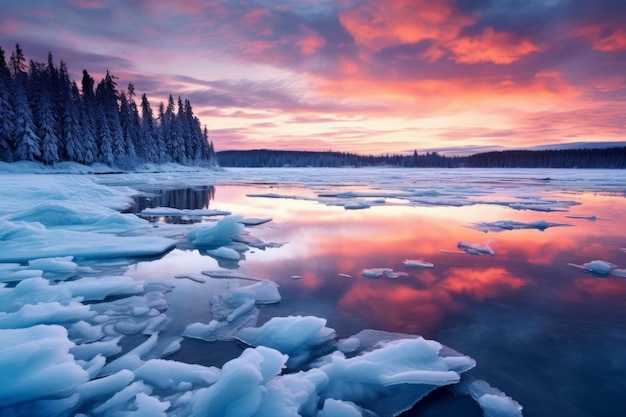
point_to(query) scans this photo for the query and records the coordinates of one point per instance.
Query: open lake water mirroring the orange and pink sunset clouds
(547, 334)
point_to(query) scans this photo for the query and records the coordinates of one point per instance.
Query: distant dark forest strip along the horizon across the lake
(566, 158)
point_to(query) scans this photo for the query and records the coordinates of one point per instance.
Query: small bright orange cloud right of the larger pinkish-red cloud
(491, 46)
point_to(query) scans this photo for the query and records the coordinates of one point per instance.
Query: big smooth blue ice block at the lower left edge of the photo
(38, 363)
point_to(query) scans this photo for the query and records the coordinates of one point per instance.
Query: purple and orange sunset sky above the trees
(362, 76)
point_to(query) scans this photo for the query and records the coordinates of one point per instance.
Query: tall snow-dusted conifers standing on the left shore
(45, 117)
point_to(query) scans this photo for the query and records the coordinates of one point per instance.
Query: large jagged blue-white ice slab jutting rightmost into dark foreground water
(392, 376)
